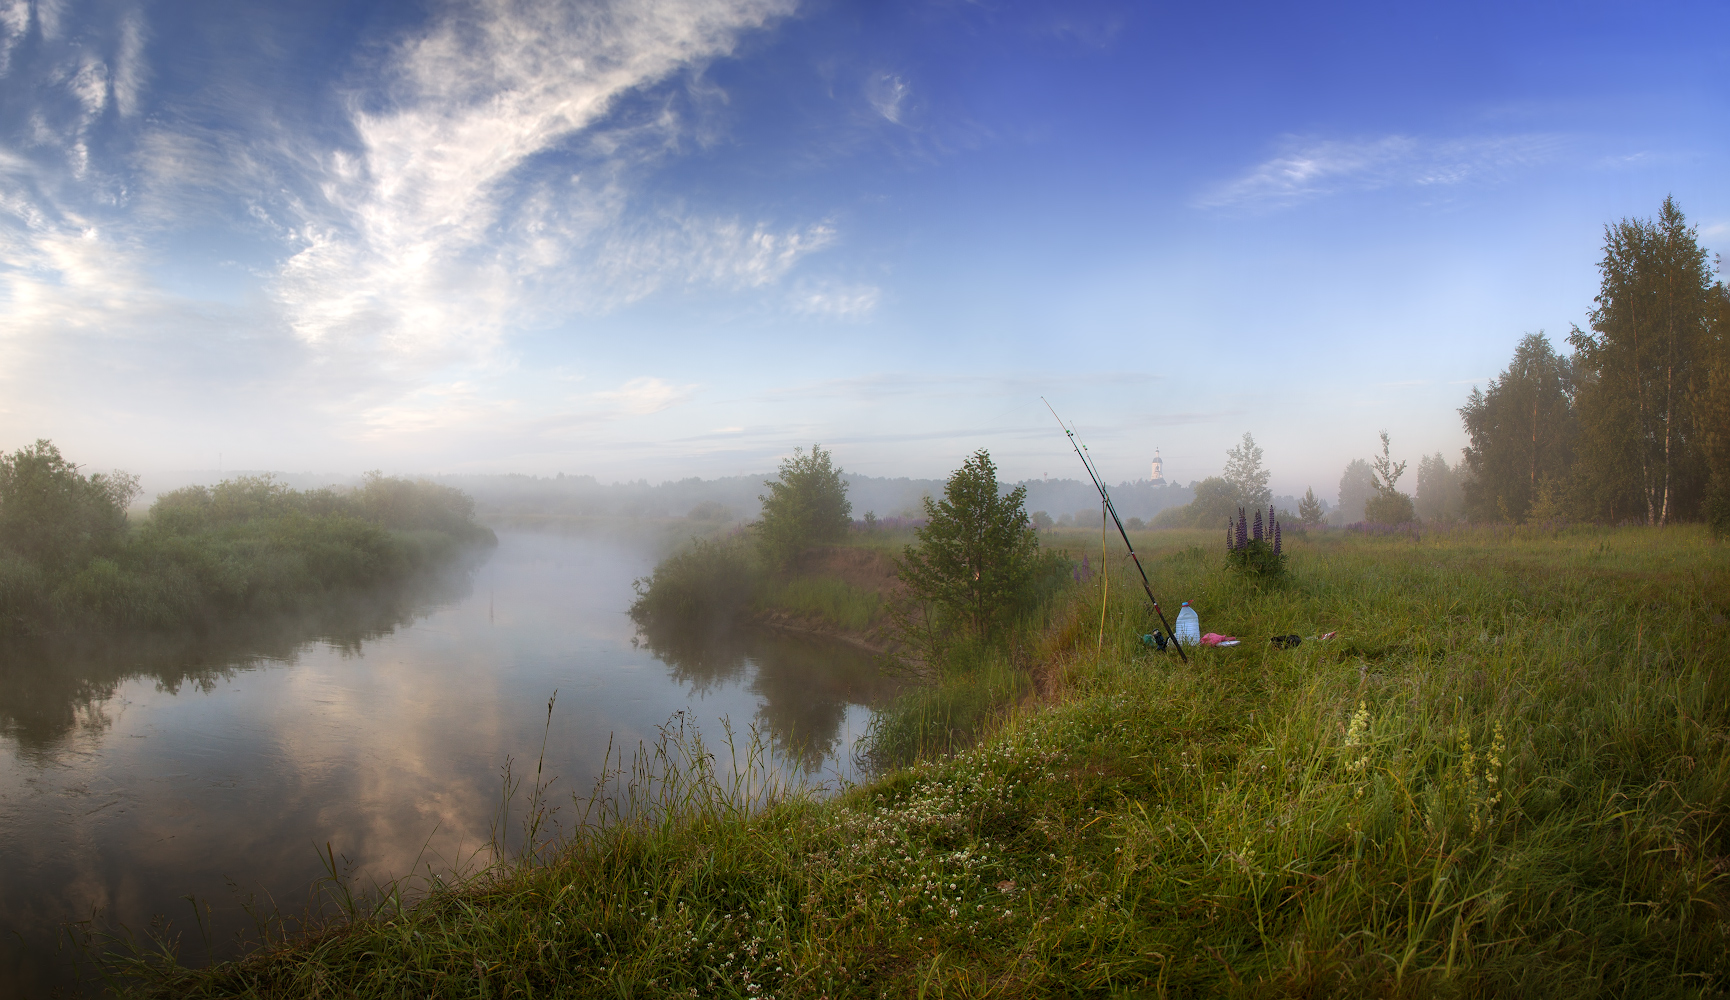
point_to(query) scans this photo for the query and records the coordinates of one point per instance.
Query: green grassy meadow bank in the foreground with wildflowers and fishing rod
(1508, 774)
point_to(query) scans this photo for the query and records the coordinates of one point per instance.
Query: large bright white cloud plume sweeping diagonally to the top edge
(439, 231)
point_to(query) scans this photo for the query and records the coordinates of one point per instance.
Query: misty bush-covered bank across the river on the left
(247, 548)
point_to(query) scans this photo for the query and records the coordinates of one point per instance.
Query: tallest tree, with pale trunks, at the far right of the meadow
(1641, 368)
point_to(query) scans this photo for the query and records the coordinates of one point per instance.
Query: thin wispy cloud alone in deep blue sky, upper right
(1307, 169)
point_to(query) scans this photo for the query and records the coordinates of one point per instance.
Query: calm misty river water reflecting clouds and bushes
(134, 776)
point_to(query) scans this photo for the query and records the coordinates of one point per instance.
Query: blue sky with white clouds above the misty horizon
(679, 238)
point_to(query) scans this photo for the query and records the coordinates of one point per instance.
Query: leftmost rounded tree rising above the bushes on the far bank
(53, 515)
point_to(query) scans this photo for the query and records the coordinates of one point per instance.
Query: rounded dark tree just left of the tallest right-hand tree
(1522, 432)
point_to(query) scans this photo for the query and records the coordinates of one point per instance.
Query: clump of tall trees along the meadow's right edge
(1634, 425)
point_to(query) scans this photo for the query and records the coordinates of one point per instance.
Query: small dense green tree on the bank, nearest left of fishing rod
(977, 556)
